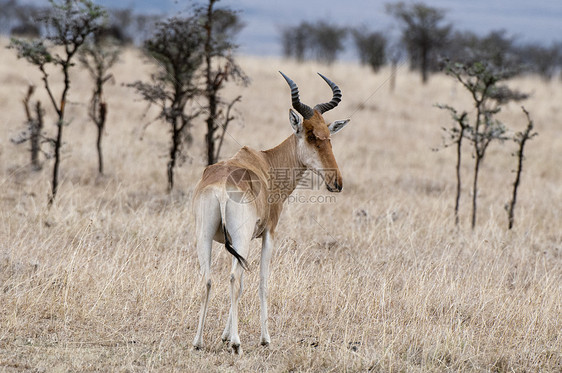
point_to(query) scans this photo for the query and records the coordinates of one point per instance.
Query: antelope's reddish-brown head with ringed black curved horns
(314, 148)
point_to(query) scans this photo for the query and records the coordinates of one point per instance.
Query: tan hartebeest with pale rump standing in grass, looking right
(239, 199)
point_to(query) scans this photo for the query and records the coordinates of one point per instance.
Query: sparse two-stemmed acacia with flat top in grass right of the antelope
(482, 81)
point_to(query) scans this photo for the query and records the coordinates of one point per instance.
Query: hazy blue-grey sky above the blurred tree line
(530, 21)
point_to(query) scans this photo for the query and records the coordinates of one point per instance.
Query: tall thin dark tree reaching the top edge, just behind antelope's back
(220, 26)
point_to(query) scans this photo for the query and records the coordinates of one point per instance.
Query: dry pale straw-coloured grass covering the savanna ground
(376, 279)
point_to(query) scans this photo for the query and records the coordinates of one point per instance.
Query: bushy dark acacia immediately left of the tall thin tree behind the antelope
(177, 47)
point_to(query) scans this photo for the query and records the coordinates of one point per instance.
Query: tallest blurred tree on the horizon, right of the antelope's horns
(423, 32)
